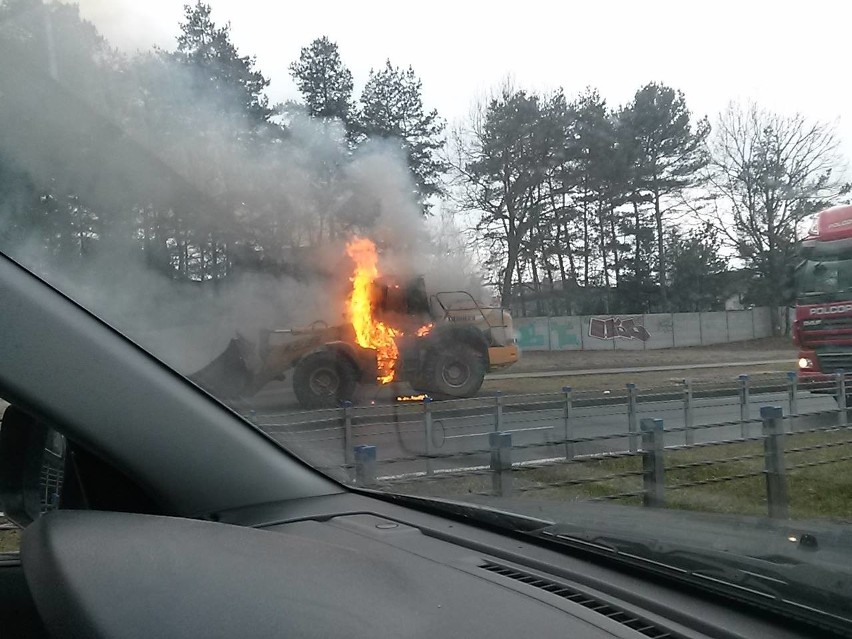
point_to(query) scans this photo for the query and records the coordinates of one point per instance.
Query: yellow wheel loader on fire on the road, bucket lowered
(445, 357)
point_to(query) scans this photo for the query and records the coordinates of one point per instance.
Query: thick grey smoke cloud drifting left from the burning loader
(102, 143)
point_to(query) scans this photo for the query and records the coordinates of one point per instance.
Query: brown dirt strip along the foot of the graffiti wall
(771, 348)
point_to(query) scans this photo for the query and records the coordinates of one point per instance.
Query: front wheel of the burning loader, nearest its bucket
(324, 380)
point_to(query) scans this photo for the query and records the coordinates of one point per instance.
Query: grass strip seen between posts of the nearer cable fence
(822, 491)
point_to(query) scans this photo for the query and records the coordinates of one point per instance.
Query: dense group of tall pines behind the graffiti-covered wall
(578, 194)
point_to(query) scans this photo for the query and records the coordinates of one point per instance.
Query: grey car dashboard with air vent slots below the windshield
(345, 565)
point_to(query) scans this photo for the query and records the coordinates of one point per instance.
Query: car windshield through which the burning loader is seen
(529, 262)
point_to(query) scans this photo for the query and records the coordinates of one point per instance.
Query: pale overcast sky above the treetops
(786, 56)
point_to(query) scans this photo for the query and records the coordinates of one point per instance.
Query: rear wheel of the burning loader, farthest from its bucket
(453, 370)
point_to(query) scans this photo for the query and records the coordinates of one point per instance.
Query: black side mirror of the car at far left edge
(32, 466)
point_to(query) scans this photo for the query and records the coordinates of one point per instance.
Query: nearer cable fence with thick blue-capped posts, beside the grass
(651, 475)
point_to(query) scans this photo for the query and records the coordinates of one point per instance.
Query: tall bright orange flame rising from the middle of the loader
(370, 333)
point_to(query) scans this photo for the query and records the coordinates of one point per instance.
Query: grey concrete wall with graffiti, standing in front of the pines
(641, 332)
